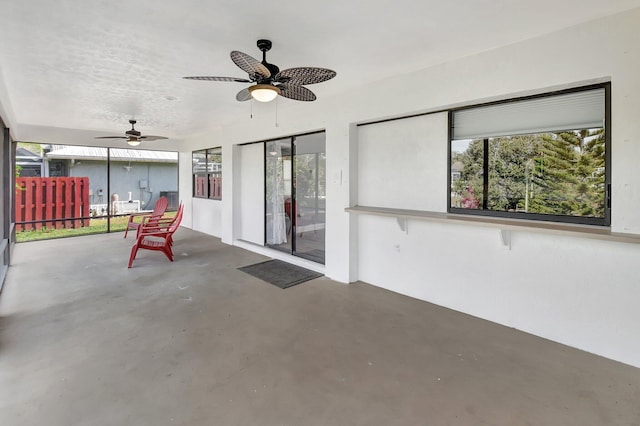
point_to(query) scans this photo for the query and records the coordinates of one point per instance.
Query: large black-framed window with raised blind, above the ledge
(540, 158)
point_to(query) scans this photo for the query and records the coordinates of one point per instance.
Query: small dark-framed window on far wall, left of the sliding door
(207, 173)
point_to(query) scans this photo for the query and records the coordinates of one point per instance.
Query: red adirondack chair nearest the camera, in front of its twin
(157, 236)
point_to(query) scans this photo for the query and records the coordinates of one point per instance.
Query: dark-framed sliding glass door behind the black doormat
(295, 195)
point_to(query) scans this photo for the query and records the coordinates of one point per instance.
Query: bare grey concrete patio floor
(86, 341)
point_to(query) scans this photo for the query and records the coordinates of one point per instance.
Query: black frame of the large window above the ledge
(599, 221)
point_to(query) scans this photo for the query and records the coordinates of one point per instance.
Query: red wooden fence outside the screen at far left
(61, 202)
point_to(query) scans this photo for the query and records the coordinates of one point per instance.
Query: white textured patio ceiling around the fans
(91, 65)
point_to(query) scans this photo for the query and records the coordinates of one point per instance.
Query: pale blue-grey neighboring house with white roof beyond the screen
(140, 176)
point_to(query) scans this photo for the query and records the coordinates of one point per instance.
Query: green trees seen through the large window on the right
(556, 173)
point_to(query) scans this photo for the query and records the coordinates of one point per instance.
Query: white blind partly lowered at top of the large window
(572, 111)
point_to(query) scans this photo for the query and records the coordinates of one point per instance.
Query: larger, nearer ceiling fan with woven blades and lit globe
(270, 81)
